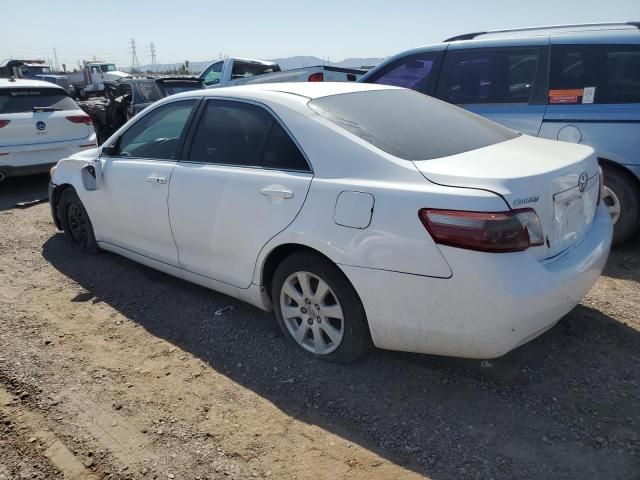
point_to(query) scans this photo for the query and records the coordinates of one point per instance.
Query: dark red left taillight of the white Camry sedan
(511, 231)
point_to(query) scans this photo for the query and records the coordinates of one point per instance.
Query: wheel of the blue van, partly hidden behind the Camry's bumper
(621, 196)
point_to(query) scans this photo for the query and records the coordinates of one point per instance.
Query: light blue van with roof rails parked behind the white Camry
(575, 83)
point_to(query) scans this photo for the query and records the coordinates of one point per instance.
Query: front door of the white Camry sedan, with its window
(131, 206)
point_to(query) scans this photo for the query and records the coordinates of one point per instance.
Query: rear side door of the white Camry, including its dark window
(243, 181)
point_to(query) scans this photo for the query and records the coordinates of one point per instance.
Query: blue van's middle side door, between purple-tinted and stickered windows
(504, 84)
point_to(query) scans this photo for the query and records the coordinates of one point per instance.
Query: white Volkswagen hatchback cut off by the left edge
(39, 125)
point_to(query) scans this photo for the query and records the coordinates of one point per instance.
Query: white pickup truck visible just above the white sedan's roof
(243, 71)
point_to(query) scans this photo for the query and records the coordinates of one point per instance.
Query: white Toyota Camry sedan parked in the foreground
(361, 214)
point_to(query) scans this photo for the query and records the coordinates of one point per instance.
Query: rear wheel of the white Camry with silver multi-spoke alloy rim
(318, 309)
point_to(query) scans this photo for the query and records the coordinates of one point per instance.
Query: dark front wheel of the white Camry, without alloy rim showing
(77, 228)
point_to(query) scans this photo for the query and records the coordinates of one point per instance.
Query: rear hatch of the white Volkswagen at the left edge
(29, 127)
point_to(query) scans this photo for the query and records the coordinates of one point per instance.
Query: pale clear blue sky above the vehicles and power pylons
(199, 30)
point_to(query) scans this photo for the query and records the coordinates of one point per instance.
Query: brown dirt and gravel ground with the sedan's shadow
(109, 369)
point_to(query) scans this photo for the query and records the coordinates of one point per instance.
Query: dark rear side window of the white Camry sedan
(242, 134)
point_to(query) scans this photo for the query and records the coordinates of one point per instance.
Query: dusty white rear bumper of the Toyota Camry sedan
(492, 303)
